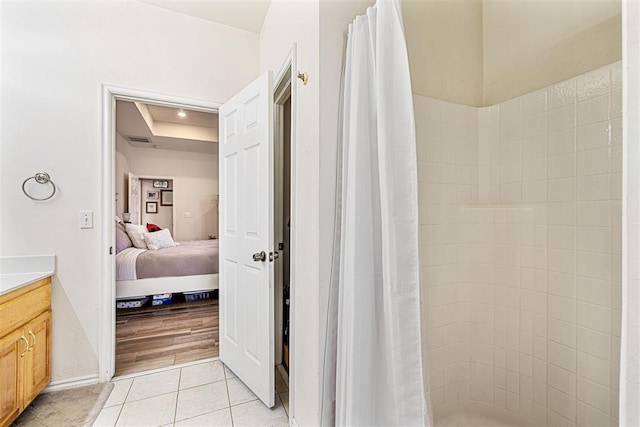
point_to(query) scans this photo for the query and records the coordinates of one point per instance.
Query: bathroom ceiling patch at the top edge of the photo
(244, 14)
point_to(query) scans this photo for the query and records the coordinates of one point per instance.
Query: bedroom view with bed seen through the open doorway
(166, 205)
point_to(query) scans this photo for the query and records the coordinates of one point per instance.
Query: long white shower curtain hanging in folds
(373, 363)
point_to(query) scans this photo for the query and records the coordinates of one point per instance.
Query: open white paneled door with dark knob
(246, 237)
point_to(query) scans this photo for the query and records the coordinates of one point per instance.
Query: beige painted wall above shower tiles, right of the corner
(531, 44)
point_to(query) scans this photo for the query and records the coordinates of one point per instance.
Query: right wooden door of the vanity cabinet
(38, 366)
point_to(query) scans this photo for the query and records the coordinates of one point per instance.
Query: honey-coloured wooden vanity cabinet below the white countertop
(25, 347)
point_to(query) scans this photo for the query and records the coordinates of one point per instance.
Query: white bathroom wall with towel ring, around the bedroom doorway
(55, 57)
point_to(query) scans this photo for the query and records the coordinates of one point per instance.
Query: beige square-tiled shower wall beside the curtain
(520, 208)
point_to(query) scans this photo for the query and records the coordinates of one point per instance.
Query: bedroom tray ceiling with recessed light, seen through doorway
(165, 130)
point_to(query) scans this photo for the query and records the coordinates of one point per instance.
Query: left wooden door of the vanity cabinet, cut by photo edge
(13, 350)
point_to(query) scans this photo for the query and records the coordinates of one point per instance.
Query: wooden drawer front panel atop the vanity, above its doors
(14, 312)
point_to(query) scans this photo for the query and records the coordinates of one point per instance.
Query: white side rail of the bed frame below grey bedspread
(164, 285)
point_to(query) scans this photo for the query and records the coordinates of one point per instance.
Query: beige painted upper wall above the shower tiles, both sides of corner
(481, 52)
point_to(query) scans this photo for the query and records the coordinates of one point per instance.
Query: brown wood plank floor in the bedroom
(161, 336)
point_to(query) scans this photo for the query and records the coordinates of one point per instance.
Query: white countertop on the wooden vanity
(18, 271)
